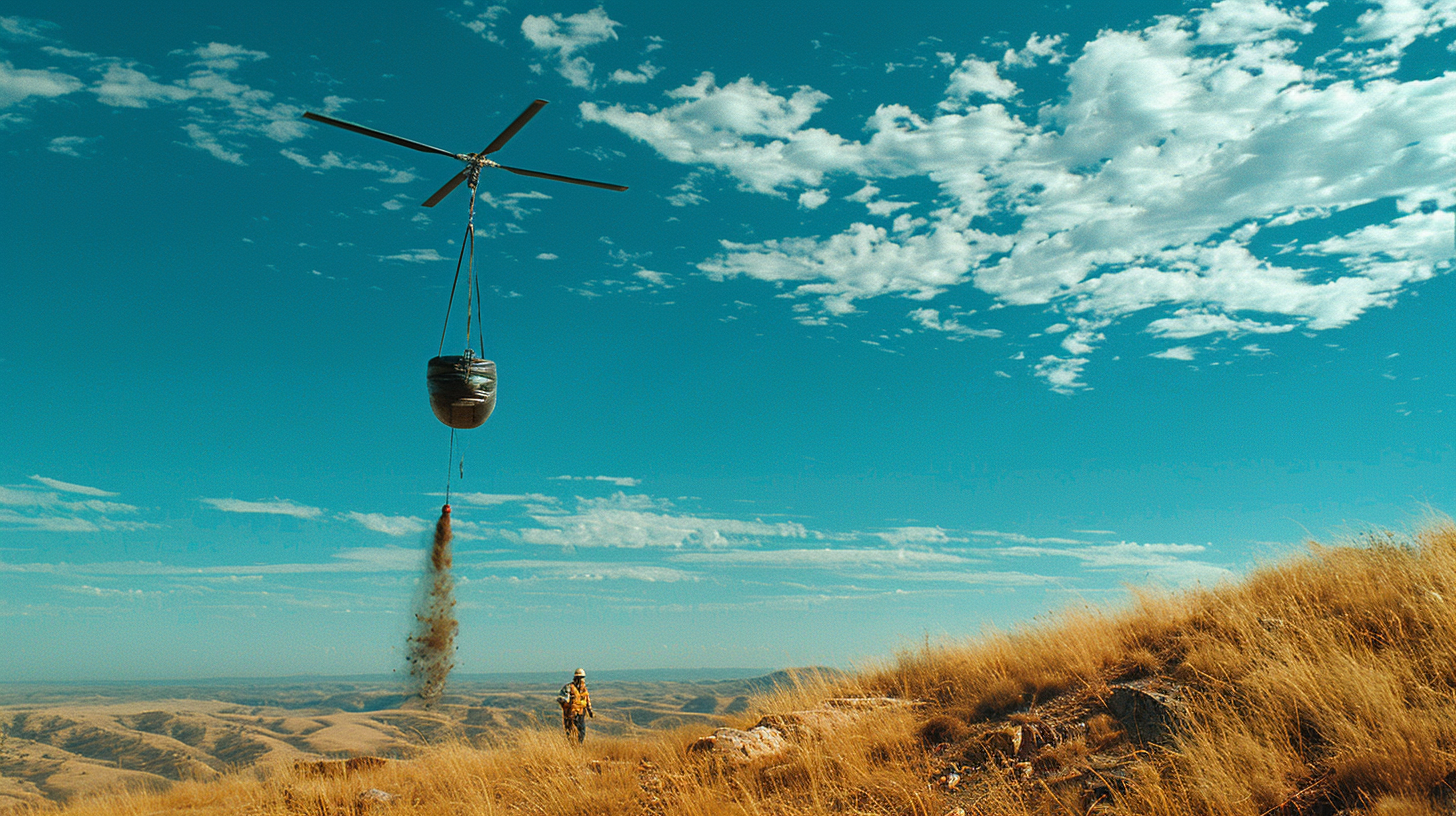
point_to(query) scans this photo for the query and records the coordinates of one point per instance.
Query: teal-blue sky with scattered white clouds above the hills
(909, 324)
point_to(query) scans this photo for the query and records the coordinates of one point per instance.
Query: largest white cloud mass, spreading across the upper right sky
(1136, 197)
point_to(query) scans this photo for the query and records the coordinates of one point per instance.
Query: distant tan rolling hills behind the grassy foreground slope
(63, 741)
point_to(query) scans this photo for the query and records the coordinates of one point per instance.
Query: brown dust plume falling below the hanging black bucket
(432, 648)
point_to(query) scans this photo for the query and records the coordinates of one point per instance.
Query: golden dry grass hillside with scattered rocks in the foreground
(1321, 686)
